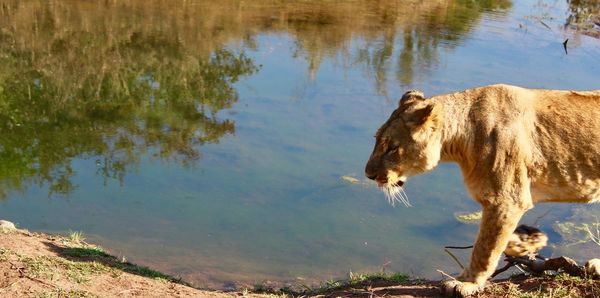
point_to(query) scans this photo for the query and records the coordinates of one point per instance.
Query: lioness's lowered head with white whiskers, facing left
(408, 143)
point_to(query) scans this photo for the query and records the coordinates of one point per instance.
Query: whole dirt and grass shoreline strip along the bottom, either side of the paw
(45, 265)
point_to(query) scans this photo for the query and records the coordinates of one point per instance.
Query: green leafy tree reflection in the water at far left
(66, 92)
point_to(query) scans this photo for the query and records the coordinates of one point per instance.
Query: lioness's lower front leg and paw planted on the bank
(497, 225)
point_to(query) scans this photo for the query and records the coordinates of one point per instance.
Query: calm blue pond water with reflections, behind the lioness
(209, 141)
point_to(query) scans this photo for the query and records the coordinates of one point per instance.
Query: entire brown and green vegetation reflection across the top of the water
(112, 80)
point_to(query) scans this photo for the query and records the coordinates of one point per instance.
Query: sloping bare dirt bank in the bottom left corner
(41, 265)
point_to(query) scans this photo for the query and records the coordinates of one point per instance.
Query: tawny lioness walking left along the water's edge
(515, 147)
